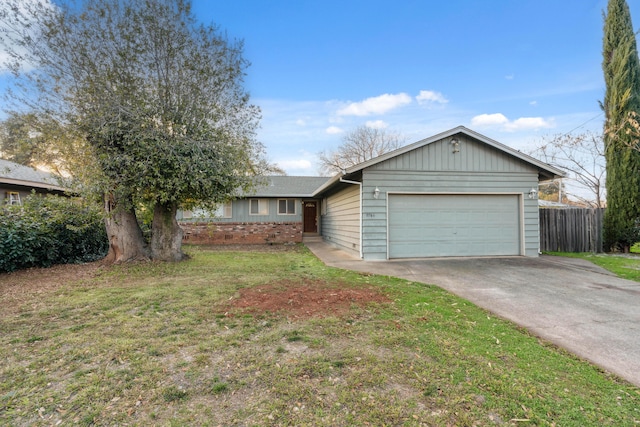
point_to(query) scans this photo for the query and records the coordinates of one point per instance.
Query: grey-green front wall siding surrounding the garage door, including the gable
(436, 169)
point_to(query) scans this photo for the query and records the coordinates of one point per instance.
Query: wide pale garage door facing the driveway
(453, 225)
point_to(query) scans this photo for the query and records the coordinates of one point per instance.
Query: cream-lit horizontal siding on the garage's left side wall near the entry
(341, 219)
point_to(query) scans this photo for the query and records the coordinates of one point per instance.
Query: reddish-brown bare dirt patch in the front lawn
(307, 299)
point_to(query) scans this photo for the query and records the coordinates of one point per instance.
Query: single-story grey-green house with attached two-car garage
(457, 193)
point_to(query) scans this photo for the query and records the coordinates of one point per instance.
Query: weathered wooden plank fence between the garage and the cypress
(571, 230)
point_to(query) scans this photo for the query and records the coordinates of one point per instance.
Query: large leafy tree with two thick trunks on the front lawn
(157, 97)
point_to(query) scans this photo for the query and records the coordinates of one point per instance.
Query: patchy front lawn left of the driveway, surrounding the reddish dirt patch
(154, 344)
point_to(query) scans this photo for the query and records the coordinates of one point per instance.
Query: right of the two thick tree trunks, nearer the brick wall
(166, 234)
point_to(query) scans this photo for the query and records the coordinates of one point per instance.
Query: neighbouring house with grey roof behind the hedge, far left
(18, 181)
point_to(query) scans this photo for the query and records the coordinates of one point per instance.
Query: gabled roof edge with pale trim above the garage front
(545, 170)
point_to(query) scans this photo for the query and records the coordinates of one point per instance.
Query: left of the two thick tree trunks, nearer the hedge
(126, 242)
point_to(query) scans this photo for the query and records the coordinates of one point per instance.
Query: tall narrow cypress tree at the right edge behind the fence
(621, 68)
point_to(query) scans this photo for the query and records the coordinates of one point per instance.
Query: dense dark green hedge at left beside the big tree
(50, 230)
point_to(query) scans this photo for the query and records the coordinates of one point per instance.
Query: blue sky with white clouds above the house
(514, 70)
